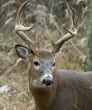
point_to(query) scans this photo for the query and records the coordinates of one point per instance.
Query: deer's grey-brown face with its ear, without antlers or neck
(42, 64)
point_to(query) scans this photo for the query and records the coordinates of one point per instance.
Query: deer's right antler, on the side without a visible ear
(72, 31)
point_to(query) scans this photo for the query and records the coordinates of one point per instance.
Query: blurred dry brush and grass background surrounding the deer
(76, 54)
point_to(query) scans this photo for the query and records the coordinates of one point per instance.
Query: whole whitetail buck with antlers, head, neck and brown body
(53, 89)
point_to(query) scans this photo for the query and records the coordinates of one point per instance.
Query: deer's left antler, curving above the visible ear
(19, 28)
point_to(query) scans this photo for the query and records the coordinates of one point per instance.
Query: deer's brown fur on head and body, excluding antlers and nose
(69, 90)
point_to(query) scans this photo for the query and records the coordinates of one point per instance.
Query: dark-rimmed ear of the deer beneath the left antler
(22, 51)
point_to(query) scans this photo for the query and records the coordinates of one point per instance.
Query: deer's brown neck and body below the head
(70, 91)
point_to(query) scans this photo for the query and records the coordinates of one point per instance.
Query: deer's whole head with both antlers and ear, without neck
(42, 62)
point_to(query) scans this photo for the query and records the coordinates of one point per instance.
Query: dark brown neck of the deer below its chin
(44, 97)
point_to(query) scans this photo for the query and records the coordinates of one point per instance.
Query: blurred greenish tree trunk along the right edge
(89, 47)
